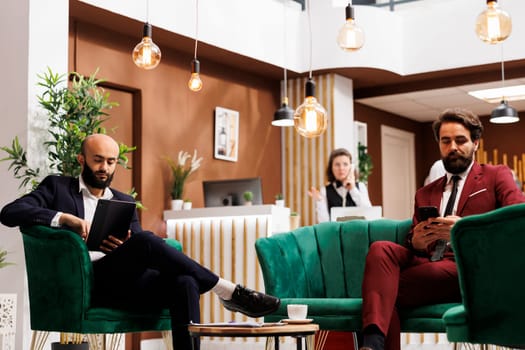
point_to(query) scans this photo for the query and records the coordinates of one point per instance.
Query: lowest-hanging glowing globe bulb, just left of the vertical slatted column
(310, 119)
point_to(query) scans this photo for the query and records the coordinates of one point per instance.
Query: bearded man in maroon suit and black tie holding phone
(424, 271)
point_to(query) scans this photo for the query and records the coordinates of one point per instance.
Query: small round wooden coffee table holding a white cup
(298, 331)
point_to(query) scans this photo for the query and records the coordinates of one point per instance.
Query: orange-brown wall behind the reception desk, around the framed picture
(172, 118)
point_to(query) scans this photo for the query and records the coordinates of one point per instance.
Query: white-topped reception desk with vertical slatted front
(223, 239)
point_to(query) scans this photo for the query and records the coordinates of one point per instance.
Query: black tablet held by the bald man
(112, 217)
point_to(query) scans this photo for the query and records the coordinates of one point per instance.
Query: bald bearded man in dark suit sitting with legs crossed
(140, 271)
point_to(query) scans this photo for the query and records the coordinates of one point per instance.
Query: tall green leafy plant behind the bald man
(73, 112)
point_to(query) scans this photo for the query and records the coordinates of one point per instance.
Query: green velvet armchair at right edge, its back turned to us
(489, 255)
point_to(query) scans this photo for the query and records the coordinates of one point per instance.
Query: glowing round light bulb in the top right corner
(493, 25)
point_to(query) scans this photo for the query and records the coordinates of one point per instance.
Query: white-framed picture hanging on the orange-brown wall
(226, 143)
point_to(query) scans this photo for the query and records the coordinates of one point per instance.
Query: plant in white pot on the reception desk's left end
(180, 170)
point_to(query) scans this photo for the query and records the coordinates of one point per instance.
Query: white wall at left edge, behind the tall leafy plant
(36, 37)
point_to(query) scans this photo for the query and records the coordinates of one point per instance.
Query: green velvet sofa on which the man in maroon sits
(322, 266)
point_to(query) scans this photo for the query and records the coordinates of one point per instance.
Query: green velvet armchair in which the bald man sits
(60, 277)
